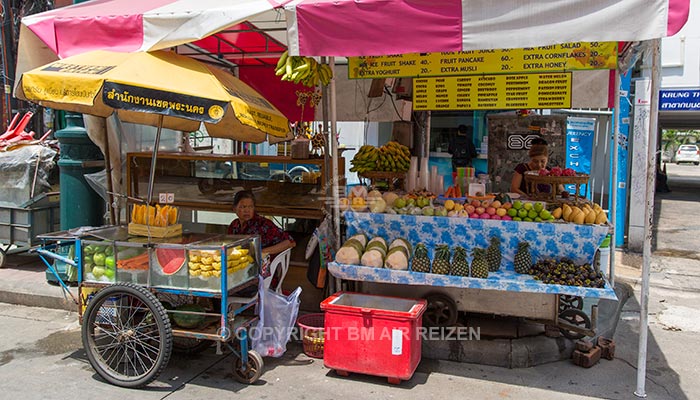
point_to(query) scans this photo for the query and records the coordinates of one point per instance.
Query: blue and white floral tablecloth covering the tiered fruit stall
(547, 240)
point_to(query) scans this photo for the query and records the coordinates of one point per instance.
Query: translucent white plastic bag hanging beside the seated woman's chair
(278, 315)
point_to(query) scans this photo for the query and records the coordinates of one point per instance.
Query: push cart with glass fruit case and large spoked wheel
(141, 298)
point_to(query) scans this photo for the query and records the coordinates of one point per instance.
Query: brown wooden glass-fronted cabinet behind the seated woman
(283, 186)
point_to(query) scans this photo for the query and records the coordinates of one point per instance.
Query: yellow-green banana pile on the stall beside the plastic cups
(392, 157)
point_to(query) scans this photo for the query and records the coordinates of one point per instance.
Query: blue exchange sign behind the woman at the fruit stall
(580, 133)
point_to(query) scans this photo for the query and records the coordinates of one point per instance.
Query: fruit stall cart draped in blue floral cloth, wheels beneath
(504, 292)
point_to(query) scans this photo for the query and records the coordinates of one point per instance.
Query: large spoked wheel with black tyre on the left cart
(127, 335)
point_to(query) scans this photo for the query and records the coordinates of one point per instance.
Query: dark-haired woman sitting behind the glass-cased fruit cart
(273, 240)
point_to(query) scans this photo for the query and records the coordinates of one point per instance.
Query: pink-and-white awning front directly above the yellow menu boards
(381, 27)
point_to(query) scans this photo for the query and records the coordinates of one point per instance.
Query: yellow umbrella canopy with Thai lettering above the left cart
(158, 88)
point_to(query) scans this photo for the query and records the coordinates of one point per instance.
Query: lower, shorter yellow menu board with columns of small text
(493, 92)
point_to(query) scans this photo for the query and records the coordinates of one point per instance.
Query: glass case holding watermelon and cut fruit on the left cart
(191, 262)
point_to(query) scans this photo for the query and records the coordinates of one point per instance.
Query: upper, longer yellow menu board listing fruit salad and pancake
(559, 57)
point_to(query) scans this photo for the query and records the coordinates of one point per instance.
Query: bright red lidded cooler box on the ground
(375, 335)
